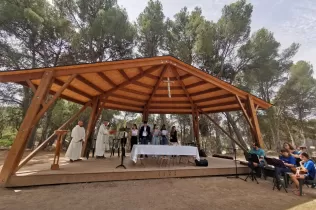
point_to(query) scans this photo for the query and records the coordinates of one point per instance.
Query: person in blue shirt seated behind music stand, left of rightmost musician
(289, 161)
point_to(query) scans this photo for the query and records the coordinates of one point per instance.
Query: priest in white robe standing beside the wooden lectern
(75, 146)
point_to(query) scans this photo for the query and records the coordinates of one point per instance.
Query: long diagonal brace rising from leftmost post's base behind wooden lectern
(51, 137)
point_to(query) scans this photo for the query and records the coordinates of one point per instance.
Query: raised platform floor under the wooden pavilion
(101, 170)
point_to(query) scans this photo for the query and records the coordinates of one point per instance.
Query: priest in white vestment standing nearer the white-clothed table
(102, 143)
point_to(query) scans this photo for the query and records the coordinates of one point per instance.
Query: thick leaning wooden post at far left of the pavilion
(16, 152)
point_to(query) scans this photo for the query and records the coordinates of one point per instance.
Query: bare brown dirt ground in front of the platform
(192, 193)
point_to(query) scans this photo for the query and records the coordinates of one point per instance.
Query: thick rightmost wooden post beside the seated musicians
(253, 115)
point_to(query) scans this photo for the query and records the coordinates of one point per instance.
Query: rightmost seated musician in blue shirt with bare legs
(307, 167)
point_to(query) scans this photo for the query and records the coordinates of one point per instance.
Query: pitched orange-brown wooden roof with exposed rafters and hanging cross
(132, 85)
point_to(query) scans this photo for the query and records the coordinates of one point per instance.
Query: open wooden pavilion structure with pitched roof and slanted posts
(158, 85)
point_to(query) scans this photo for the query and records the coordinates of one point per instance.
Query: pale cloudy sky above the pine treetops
(289, 20)
